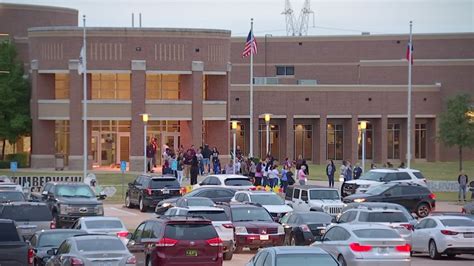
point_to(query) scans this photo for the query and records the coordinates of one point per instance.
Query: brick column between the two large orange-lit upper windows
(138, 80)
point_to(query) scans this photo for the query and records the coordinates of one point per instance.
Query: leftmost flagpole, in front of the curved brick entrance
(84, 100)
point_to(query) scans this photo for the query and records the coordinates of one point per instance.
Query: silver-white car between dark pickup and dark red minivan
(103, 225)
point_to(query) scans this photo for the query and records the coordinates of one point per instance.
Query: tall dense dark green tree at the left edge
(15, 118)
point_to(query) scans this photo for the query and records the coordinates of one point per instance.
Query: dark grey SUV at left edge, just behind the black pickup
(29, 217)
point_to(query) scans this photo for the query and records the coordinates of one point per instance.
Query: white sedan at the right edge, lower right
(450, 235)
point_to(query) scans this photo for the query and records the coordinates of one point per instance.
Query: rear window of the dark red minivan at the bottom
(190, 231)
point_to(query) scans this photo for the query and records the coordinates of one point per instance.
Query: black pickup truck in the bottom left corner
(13, 250)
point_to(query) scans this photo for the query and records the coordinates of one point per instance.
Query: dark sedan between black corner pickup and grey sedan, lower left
(44, 240)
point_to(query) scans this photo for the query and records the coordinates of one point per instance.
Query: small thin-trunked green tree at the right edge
(455, 127)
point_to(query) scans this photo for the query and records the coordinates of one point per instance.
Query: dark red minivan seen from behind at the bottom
(176, 239)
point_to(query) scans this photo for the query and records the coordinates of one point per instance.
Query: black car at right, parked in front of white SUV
(415, 198)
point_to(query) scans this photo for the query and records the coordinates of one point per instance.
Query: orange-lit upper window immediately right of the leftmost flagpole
(111, 86)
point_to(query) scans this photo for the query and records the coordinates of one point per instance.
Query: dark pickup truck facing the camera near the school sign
(69, 201)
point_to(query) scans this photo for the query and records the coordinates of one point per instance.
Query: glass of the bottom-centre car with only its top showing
(305, 259)
